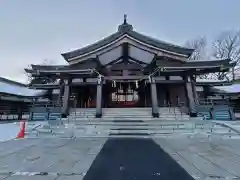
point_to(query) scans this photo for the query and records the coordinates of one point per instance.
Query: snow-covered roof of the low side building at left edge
(14, 88)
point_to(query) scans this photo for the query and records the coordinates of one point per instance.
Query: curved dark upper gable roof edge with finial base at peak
(127, 30)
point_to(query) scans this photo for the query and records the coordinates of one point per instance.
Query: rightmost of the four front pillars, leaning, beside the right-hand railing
(190, 96)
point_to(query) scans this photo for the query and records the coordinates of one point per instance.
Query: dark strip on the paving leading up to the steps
(134, 159)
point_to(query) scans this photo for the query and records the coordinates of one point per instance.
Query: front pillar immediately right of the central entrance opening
(155, 110)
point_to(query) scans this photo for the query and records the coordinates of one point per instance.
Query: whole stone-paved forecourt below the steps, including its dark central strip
(113, 159)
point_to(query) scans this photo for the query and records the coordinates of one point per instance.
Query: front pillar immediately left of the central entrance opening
(99, 98)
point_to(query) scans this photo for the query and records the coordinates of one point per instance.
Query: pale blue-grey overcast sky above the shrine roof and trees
(32, 31)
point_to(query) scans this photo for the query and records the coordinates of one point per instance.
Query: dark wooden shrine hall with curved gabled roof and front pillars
(126, 69)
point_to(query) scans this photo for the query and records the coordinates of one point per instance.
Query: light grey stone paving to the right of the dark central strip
(205, 158)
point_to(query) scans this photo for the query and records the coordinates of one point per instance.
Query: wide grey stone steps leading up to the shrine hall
(138, 122)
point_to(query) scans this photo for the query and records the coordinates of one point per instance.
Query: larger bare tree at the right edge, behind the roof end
(227, 46)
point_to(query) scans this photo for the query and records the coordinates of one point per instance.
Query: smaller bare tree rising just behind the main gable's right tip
(199, 46)
